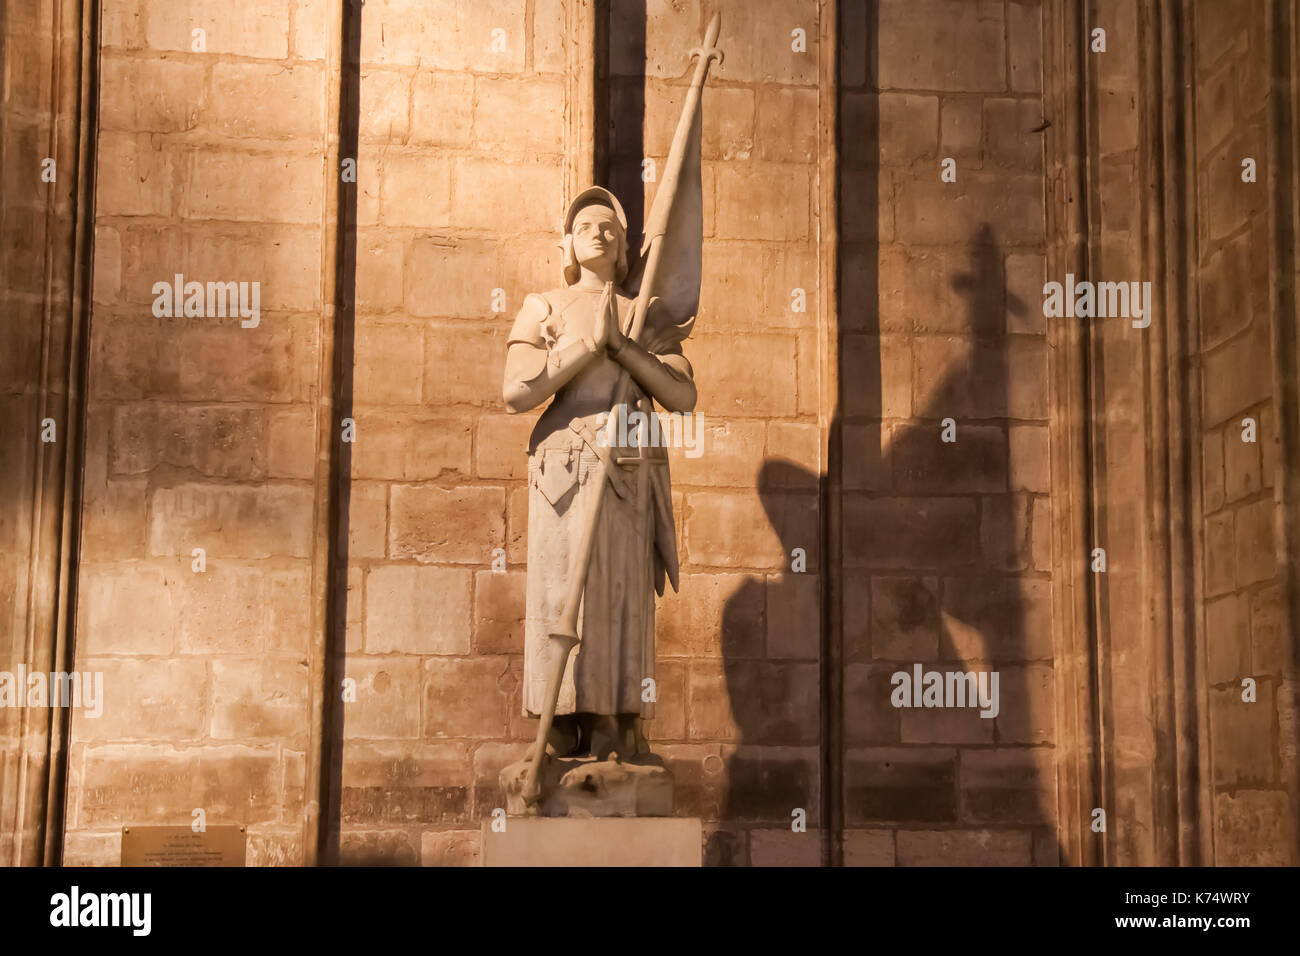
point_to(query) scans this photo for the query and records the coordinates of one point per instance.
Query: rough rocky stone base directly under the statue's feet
(592, 788)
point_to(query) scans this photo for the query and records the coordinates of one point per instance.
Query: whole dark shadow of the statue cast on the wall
(935, 540)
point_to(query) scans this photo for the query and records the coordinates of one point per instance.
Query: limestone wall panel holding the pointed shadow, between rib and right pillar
(947, 544)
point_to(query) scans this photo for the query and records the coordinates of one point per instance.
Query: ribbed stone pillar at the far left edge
(47, 124)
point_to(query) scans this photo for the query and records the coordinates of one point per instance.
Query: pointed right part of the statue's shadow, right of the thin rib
(957, 516)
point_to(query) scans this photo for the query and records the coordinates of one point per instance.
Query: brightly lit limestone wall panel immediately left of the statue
(461, 193)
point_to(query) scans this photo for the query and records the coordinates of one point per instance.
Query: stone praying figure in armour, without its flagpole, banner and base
(573, 347)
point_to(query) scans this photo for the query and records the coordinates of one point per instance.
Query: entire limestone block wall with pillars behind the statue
(885, 442)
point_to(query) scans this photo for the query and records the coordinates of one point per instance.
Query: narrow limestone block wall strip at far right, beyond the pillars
(1243, 608)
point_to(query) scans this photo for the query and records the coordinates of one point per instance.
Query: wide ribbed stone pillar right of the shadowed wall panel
(1124, 638)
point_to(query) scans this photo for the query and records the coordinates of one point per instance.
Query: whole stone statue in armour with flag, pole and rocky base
(601, 537)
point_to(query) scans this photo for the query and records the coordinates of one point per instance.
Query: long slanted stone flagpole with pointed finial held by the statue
(565, 633)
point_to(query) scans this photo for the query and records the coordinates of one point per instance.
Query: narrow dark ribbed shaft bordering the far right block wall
(1172, 419)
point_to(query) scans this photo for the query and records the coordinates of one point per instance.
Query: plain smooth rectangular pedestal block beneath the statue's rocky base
(605, 842)
